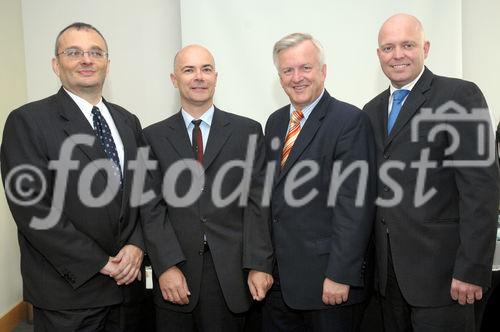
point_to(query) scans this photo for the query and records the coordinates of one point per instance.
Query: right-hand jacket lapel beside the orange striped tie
(306, 134)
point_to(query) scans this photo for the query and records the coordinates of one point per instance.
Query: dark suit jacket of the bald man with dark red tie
(238, 236)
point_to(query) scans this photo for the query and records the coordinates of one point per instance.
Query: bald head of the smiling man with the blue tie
(402, 49)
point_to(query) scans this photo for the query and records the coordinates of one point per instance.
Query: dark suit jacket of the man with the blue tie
(453, 234)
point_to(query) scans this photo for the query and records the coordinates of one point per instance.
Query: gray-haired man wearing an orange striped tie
(320, 241)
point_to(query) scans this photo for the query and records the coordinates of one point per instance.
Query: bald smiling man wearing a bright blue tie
(434, 234)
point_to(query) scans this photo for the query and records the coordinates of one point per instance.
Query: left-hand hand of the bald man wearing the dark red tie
(173, 286)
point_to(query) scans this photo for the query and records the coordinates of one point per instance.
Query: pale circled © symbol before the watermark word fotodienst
(21, 194)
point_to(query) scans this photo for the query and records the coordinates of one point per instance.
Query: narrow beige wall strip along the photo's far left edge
(12, 94)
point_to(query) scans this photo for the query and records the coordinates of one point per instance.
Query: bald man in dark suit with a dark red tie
(211, 258)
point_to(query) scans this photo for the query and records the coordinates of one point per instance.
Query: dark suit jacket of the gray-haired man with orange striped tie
(315, 240)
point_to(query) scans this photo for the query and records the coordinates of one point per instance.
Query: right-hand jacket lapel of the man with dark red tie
(220, 131)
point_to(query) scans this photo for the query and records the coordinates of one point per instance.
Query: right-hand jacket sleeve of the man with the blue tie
(478, 189)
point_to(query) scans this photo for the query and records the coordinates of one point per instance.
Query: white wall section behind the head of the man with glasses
(142, 36)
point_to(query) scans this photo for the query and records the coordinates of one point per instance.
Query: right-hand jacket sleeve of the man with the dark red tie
(257, 245)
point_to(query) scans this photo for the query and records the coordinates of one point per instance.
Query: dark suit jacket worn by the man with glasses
(60, 266)
